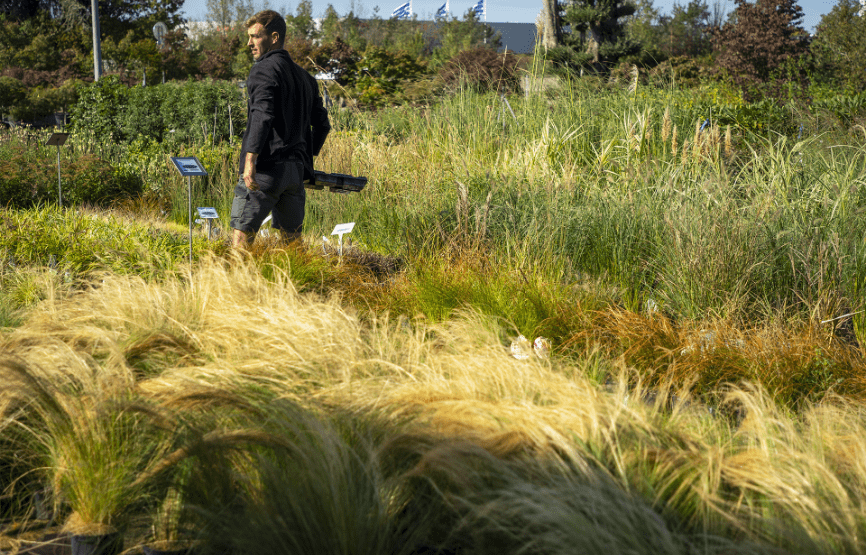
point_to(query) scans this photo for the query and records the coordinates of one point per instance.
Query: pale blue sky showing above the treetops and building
(501, 11)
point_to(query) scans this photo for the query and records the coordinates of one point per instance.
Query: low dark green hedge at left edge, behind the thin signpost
(26, 181)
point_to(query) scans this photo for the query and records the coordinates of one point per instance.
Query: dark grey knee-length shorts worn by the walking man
(281, 191)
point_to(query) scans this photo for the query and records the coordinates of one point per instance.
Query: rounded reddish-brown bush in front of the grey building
(482, 69)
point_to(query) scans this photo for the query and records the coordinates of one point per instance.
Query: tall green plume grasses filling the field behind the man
(549, 175)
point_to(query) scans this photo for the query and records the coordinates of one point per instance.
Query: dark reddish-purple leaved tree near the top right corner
(758, 41)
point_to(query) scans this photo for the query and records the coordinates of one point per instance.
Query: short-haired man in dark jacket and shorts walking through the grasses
(286, 126)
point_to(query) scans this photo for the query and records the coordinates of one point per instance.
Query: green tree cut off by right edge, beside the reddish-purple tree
(840, 46)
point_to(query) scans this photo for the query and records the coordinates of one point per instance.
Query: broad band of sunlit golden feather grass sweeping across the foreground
(778, 477)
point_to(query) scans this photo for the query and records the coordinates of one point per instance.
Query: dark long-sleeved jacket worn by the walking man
(285, 116)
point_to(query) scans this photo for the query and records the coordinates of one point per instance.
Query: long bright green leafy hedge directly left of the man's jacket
(183, 112)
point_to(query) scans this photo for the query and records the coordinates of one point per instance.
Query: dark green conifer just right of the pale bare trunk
(598, 39)
